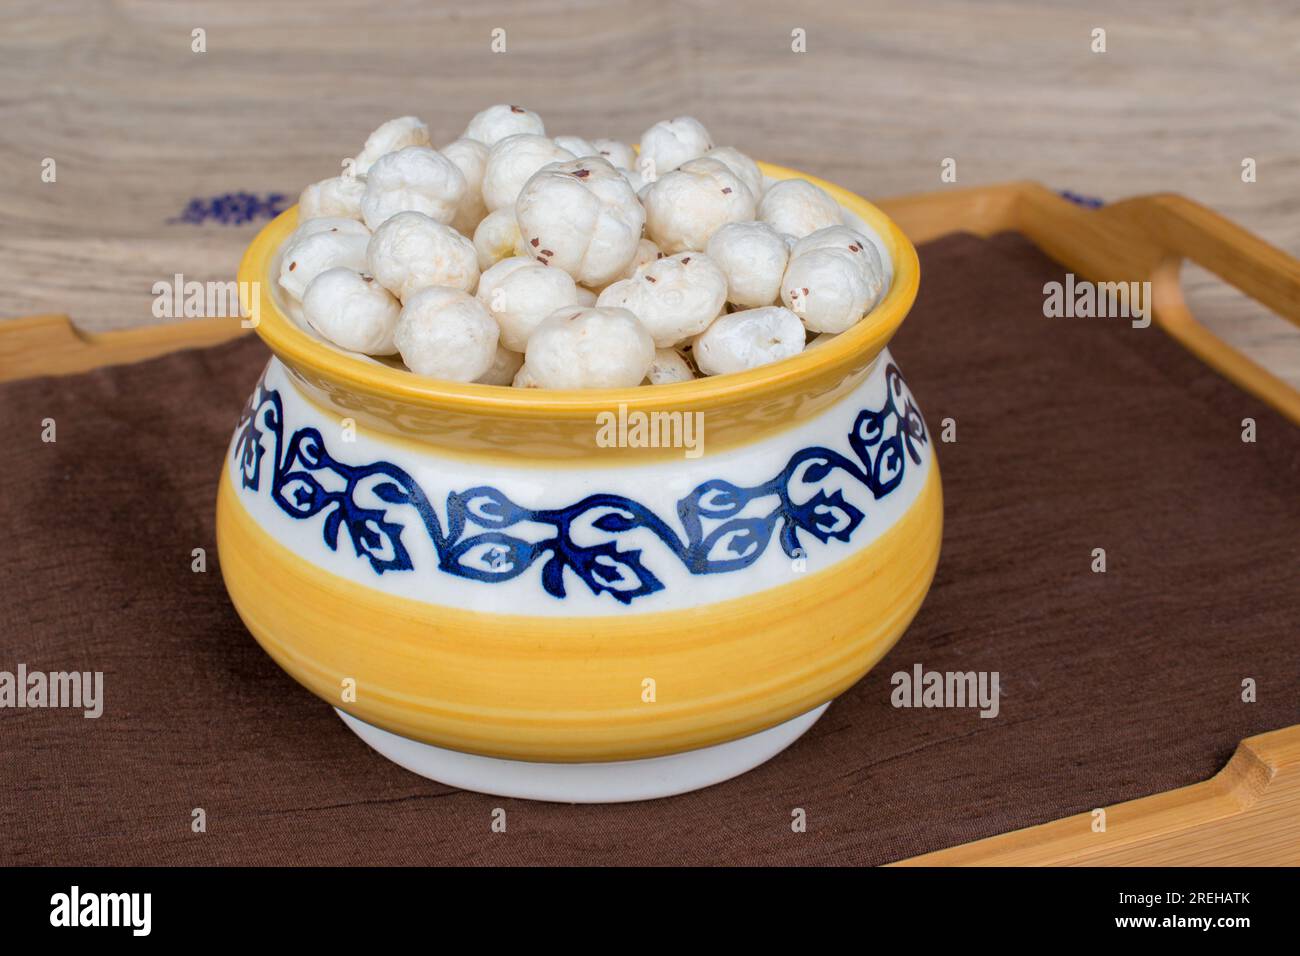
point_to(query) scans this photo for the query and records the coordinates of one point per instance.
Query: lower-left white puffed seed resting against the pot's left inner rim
(353, 312)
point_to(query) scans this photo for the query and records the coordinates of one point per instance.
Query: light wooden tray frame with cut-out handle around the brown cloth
(1246, 815)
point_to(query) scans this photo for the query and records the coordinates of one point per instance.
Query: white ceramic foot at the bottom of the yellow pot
(587, 784)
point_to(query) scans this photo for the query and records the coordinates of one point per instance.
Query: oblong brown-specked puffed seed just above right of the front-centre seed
(675, 297)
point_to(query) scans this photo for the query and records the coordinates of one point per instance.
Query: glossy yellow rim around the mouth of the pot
(847, 353)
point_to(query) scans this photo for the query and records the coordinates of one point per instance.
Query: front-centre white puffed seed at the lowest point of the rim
(590, 349)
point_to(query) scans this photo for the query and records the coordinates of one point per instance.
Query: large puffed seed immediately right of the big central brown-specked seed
(686, 207)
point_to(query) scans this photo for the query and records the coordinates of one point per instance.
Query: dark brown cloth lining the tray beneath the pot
(1072, 435)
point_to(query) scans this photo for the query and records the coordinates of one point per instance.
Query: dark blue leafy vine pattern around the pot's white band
(720, 527)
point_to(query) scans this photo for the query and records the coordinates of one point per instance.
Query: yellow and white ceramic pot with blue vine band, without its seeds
(495, 595)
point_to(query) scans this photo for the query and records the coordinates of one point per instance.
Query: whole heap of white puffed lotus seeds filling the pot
(596, 267)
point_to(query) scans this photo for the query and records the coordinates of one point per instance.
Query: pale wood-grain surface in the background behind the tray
(140, 126)
